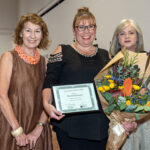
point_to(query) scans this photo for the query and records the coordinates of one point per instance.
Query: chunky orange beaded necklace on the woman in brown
(31, 60)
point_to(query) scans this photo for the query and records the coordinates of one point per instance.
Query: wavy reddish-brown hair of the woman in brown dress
(35, 19)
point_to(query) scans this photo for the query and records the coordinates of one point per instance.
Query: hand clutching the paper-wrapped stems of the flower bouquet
(129, 126)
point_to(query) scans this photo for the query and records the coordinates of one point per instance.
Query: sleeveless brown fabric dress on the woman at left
(25, 96)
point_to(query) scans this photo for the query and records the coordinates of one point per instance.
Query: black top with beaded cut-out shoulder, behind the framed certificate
(71, 67)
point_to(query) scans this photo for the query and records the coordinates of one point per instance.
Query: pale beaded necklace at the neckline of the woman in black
(81, 52)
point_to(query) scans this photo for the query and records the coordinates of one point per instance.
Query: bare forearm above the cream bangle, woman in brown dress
(8, 112)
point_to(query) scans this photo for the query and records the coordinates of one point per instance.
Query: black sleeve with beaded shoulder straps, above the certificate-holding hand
(53, 70)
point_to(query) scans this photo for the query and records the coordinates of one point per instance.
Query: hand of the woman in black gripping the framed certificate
(53, 112)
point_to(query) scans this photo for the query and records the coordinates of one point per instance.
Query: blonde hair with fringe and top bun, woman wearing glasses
(83, 13)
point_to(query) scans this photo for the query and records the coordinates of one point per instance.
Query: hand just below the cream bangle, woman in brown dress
(21, 140)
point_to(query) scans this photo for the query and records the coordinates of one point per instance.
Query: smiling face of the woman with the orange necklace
(31, 35)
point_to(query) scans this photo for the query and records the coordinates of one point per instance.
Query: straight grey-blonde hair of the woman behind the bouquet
(115, 46)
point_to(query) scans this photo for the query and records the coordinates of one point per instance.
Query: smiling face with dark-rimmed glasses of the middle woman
(85, 37)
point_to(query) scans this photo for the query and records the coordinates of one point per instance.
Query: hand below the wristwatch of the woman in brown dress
(34, 135)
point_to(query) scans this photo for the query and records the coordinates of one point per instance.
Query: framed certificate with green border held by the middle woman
(75, 98)
